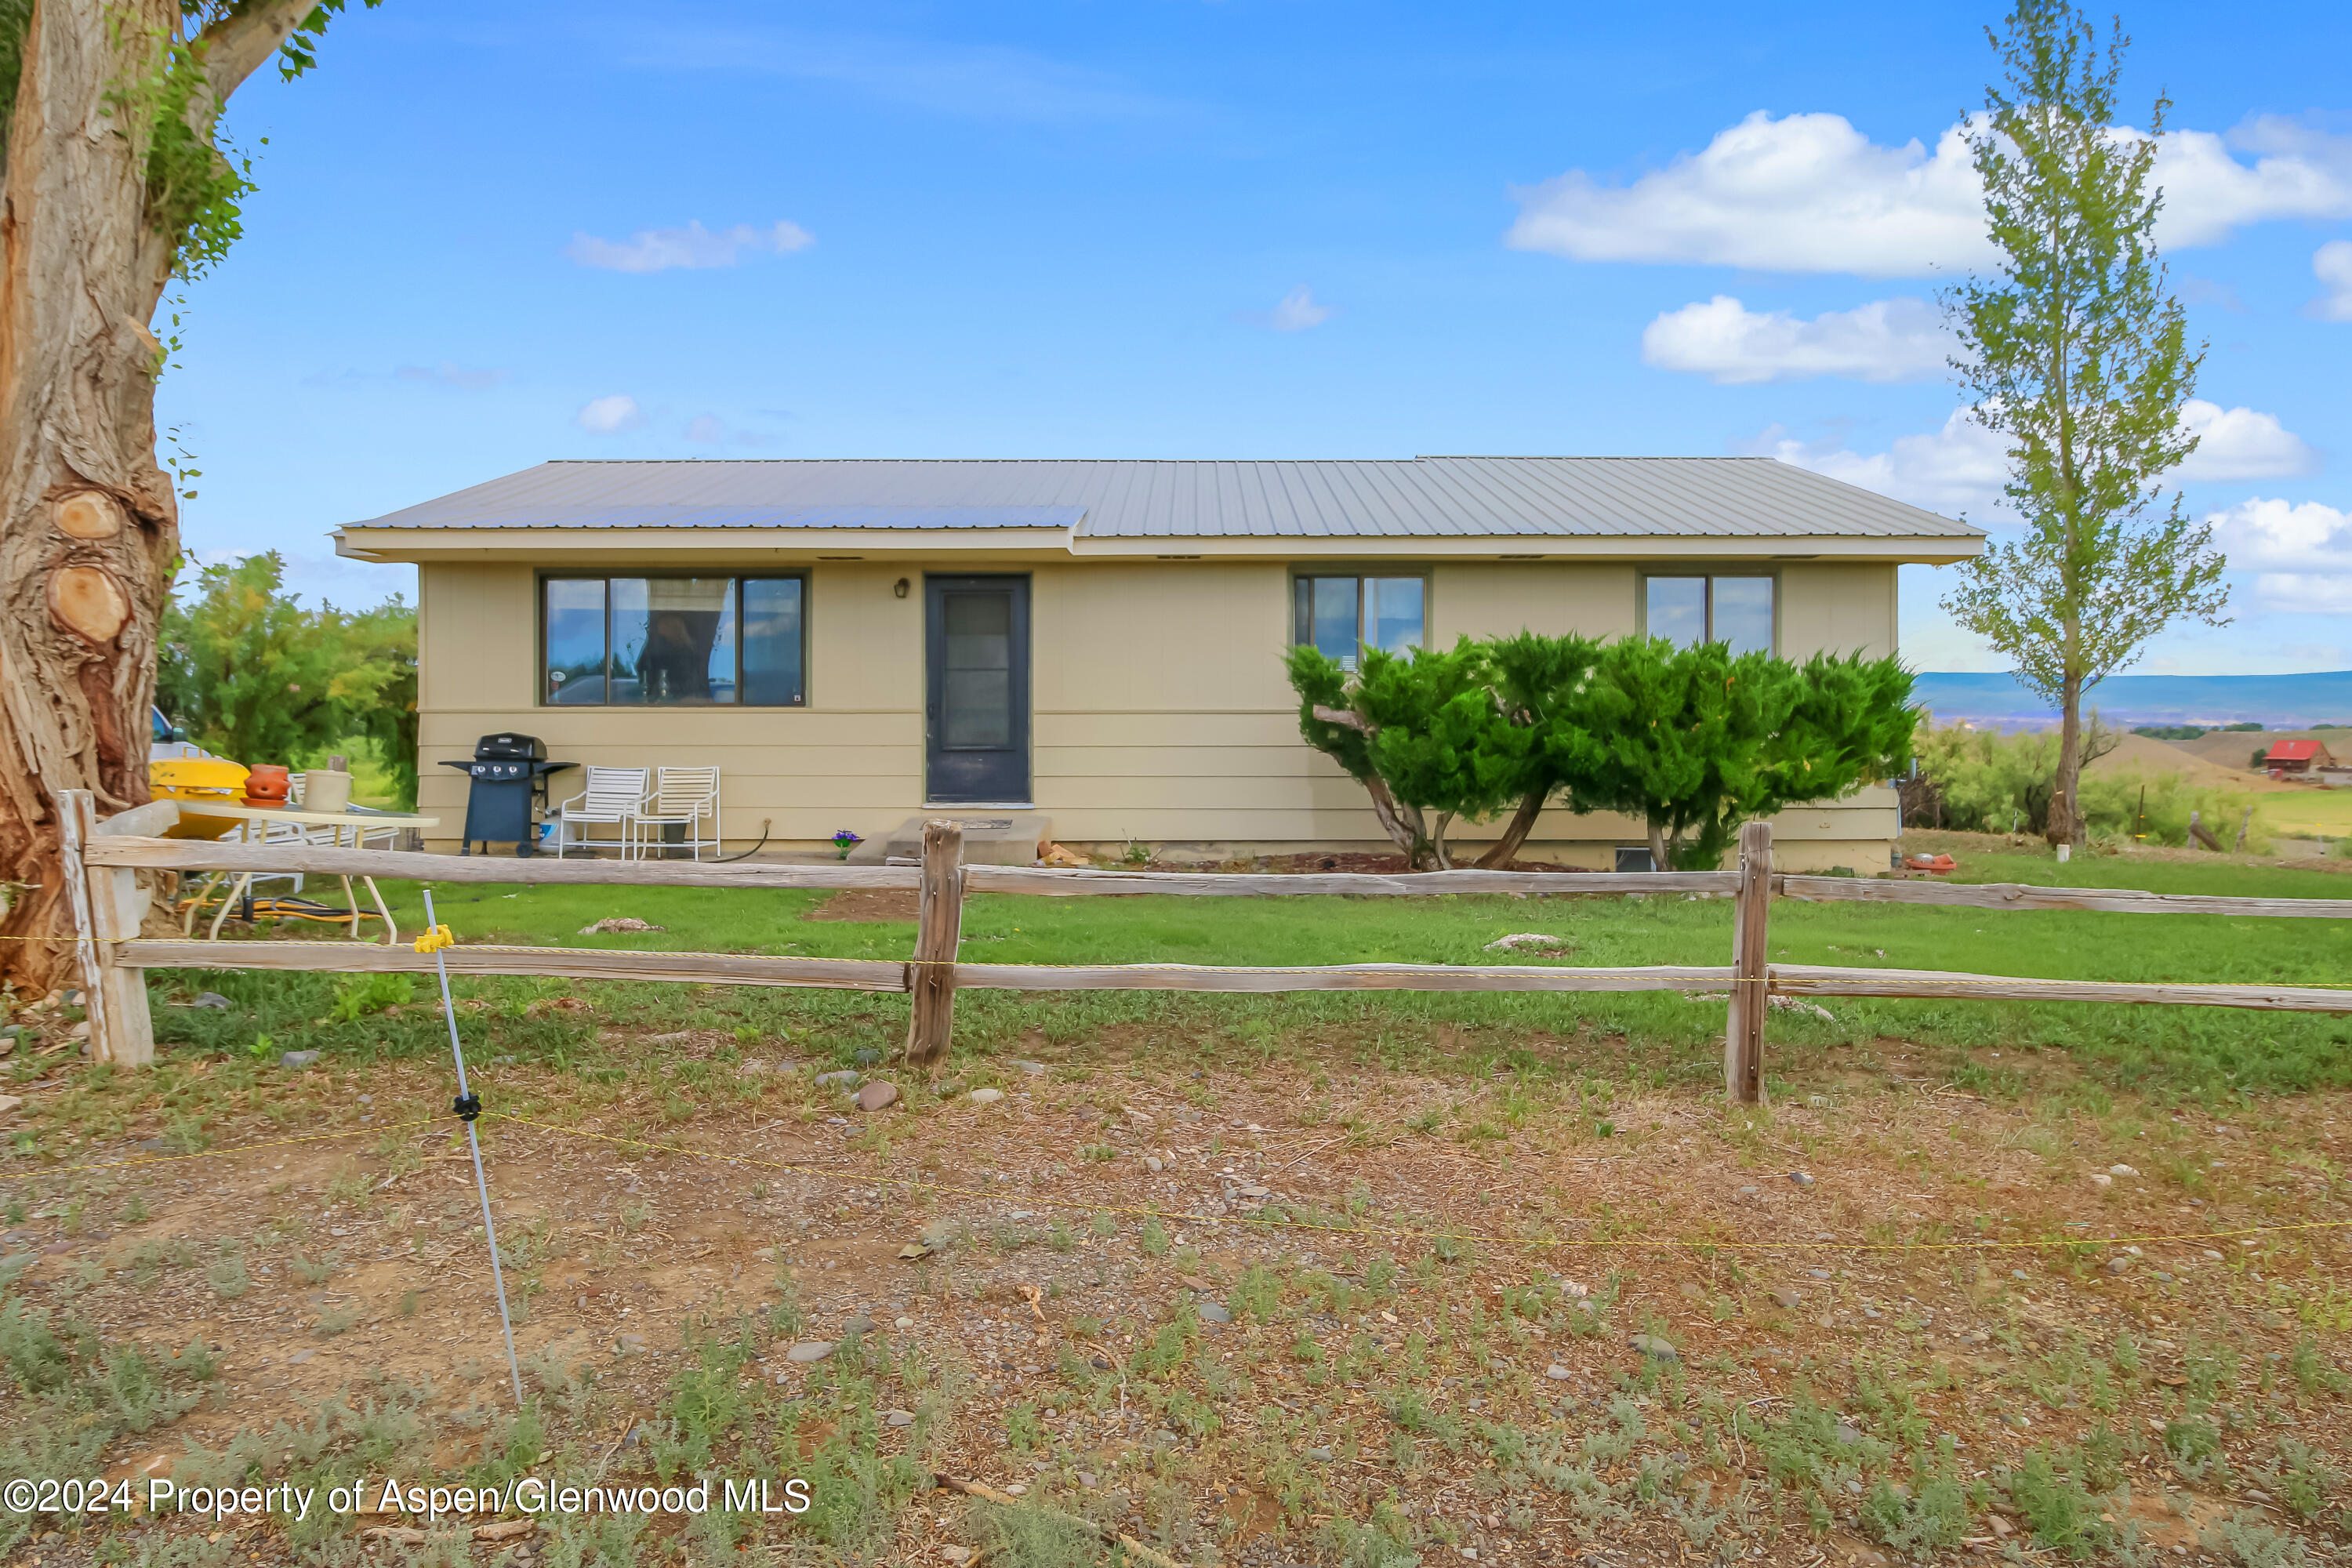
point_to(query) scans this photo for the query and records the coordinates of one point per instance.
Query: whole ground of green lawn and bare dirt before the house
(1344, 1280)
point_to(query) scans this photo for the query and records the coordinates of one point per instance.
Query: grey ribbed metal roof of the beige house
(1191, 500)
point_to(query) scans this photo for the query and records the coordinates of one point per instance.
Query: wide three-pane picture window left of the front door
(671, 641)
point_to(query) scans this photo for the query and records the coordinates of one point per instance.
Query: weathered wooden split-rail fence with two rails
(109, 902)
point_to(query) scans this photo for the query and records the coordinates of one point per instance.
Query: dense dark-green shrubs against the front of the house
(1690, 742)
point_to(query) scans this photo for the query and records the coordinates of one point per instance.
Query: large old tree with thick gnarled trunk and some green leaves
(114, 185)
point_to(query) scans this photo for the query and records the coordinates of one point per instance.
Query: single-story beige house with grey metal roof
(857, 643)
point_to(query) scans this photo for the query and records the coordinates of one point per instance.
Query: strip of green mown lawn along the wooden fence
(1664, 1038)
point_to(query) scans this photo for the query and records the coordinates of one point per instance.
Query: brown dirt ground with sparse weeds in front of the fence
(1396, 1259)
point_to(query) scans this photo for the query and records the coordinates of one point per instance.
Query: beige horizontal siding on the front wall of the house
(1161, 706)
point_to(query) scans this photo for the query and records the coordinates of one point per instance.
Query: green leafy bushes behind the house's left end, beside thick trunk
(258, 678)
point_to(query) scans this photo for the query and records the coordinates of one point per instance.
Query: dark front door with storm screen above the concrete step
(977, 688)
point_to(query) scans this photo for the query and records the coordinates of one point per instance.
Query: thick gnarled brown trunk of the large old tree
(88, 528)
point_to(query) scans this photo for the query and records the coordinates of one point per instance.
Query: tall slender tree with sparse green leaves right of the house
(2080, 359)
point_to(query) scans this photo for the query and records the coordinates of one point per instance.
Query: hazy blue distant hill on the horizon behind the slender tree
(2278, 702)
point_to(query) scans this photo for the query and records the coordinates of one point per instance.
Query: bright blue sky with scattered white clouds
(493, 236)
